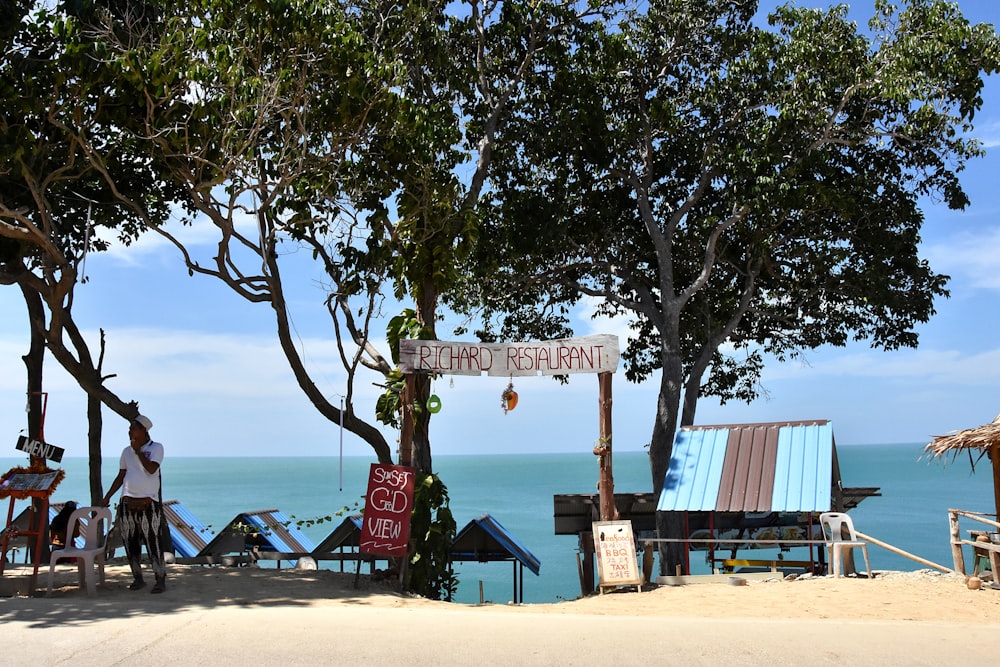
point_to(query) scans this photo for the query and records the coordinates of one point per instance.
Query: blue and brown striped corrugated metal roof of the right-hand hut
(767, 467)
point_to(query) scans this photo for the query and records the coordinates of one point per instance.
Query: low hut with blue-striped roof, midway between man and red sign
(261, 535)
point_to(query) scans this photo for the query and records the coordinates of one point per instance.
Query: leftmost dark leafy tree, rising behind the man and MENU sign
(64, 174)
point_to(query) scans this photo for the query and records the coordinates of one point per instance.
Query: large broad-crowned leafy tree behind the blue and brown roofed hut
(725, 184)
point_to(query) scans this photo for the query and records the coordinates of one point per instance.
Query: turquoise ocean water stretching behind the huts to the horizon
(911, 514)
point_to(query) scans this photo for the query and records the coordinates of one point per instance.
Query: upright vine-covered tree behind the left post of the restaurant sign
(464, 73)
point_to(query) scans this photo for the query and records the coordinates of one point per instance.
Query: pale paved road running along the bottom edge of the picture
(84, 632)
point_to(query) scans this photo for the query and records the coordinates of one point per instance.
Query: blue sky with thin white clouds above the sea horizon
(206, 367)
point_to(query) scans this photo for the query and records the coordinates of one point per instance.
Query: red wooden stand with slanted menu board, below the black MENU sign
(28, 484)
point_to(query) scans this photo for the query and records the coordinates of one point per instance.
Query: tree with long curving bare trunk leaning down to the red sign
(255, 115)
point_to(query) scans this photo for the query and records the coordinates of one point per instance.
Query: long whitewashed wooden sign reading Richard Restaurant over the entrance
(565, 356)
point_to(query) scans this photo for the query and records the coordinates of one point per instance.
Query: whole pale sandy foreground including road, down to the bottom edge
(224, 616)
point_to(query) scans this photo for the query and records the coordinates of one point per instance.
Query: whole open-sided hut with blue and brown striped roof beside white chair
(763, 485)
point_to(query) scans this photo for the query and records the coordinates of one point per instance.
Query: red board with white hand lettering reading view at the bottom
(388, 504)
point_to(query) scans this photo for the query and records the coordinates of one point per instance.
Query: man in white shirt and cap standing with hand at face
(140, 513)
